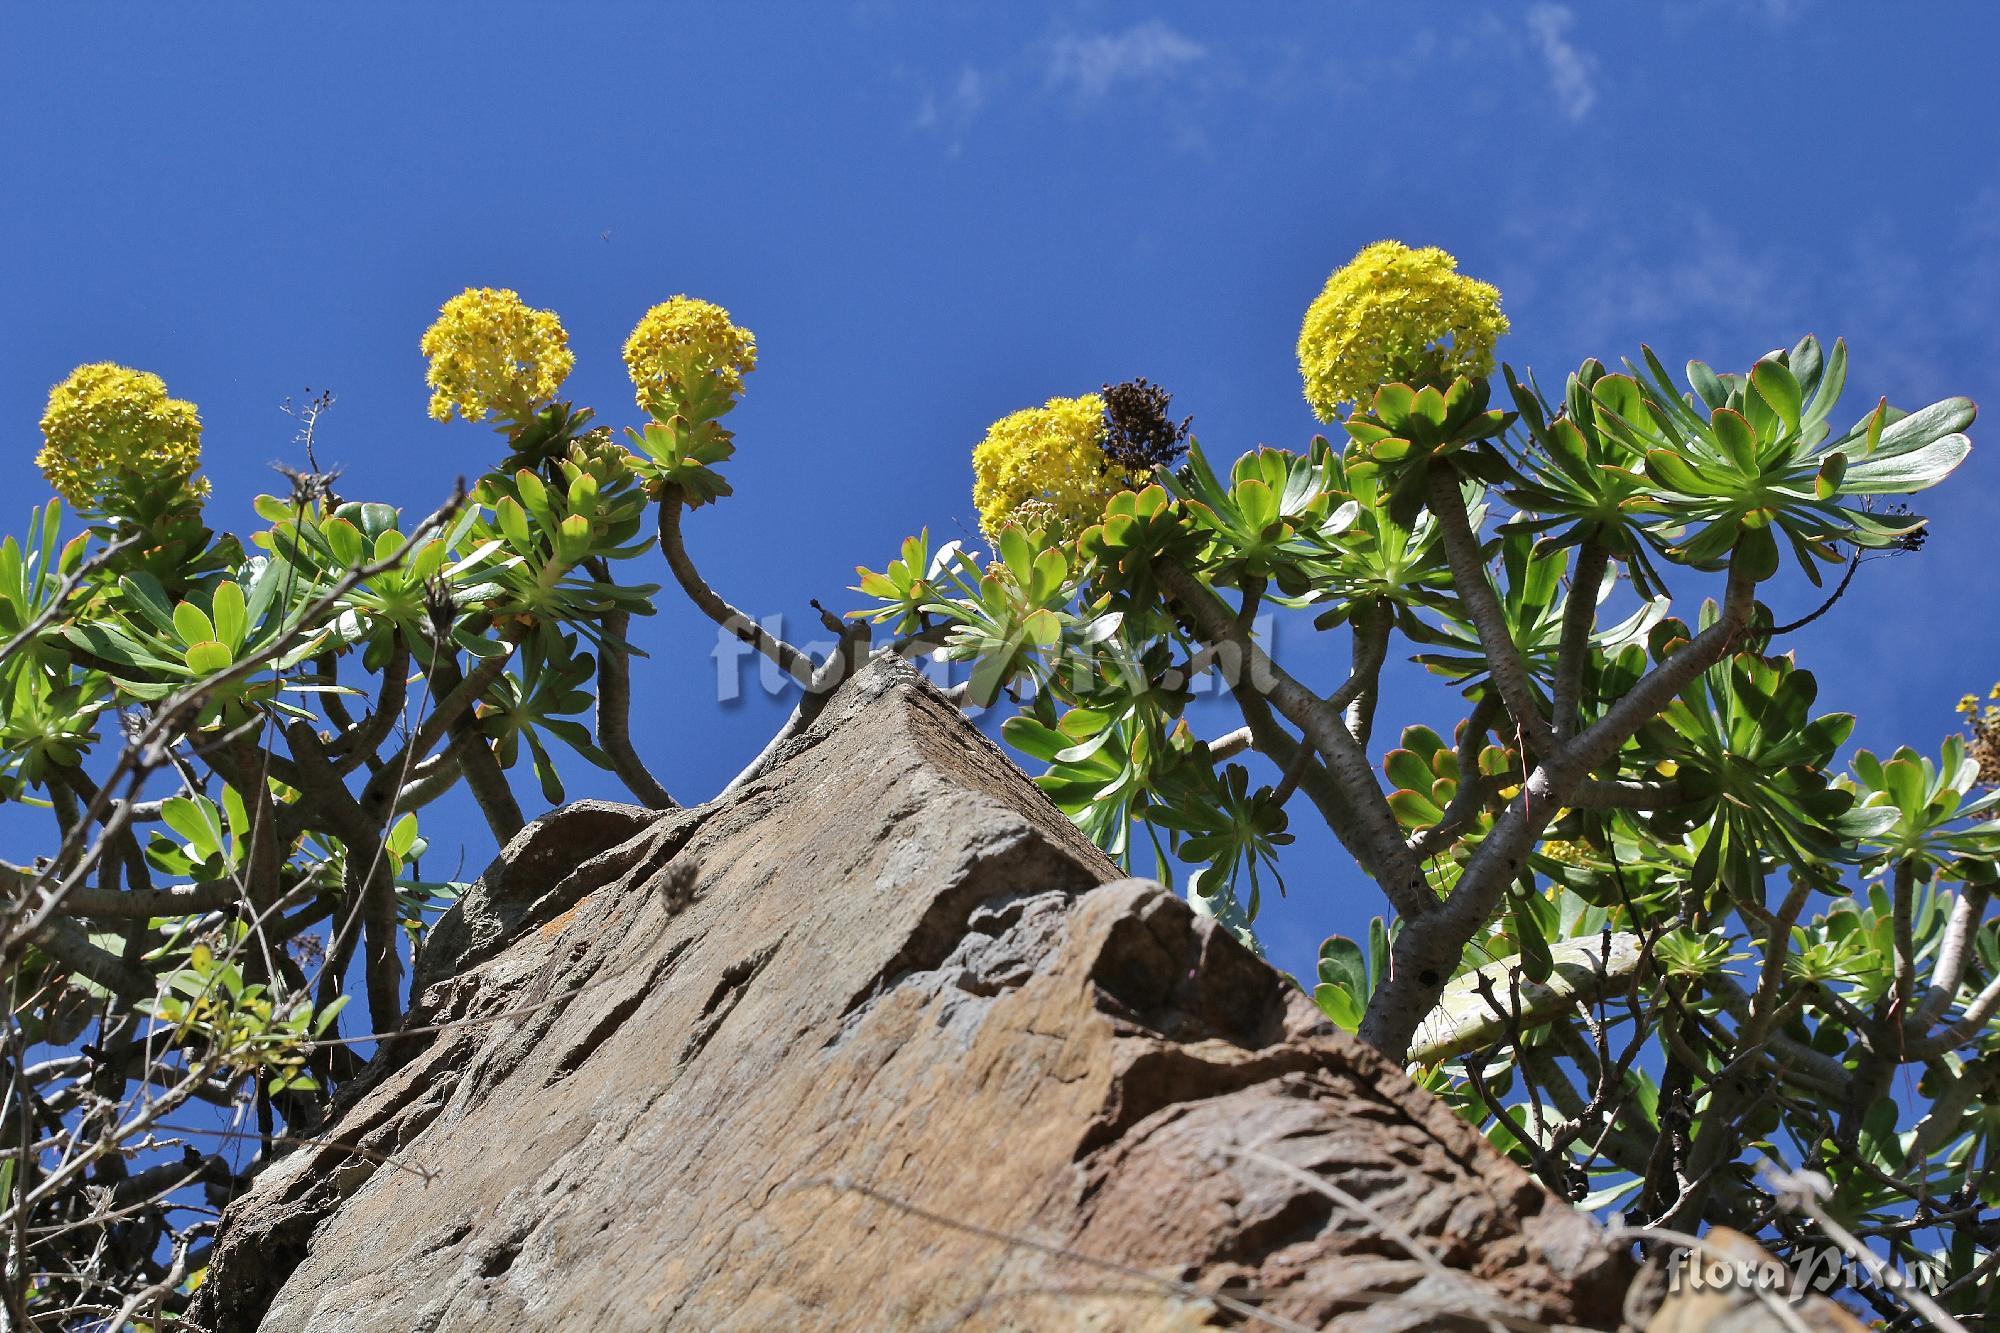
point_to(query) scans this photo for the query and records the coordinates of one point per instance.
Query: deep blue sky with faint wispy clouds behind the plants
(933, 215)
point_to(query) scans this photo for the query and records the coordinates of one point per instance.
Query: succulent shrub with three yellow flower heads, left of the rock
(235, 740)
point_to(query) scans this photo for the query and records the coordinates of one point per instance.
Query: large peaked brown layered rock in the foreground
(879, 1042)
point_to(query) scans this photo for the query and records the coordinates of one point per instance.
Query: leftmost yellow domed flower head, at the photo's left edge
(115, 443)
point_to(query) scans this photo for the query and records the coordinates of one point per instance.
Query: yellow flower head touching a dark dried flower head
(1045, 467)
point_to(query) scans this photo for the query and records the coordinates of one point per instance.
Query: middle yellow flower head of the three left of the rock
(495, 355)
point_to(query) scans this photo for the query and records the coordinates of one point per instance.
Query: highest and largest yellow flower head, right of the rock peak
(1395, 315)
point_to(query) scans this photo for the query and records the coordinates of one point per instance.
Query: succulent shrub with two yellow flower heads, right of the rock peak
(1639, 924)
